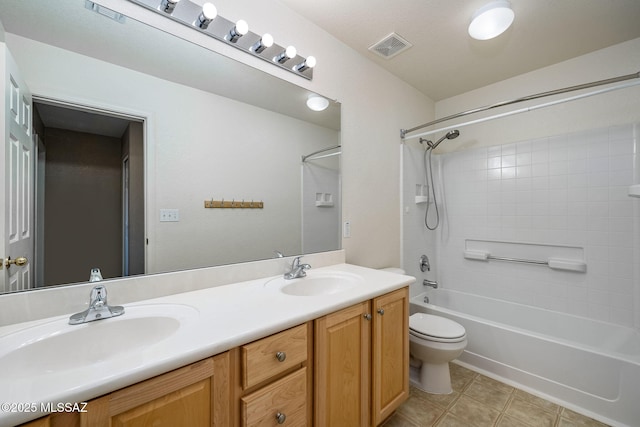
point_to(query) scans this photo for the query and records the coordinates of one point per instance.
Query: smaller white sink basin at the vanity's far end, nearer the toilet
(316, 284)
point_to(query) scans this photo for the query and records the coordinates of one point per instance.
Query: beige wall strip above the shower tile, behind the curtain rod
(613, 108)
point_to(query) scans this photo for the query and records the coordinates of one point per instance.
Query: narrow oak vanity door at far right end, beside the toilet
(390, 355)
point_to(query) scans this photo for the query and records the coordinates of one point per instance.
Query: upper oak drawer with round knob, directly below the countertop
(270, 356)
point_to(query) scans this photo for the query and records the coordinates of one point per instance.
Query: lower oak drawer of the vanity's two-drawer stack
(285, 398)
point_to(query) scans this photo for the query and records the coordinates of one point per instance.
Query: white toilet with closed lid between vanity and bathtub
(434, 341)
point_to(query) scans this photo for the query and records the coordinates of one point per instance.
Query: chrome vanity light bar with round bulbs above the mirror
(236, 34)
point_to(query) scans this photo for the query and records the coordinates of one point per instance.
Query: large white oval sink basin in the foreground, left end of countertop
(56, 346)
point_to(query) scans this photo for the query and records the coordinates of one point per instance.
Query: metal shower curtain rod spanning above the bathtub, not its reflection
(404, 132)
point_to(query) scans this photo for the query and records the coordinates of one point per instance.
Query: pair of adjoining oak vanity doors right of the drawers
(362, 362)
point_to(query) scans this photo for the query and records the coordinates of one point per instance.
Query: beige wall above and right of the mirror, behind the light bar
(375, 106)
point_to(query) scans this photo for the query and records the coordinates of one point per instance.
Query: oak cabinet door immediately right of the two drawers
(342, 367)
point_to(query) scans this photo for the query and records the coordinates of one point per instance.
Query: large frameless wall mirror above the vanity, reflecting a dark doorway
(213, 130)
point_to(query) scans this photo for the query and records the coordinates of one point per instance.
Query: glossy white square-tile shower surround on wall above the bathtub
(562, 190)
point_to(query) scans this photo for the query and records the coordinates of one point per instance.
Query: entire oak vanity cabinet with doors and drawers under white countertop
(348, 368)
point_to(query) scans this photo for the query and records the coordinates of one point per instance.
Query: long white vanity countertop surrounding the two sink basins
(228, 316)
